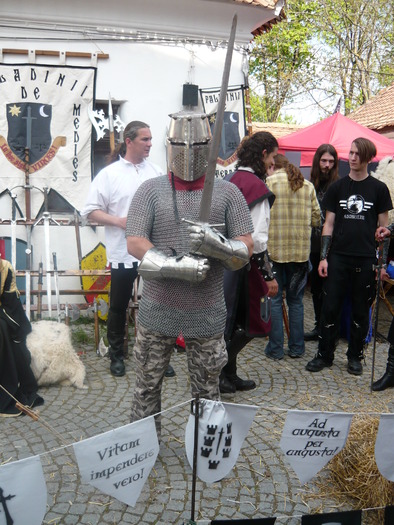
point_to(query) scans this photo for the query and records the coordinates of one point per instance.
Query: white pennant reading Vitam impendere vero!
(119, 462)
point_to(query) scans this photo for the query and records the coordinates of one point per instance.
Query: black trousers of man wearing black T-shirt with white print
(354, 275)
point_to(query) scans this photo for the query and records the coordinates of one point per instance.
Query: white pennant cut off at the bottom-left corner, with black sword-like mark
(23, 492)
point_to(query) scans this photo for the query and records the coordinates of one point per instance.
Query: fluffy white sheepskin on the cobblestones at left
(53, 358)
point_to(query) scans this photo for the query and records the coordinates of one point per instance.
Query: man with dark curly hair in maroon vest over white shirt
(245, 288)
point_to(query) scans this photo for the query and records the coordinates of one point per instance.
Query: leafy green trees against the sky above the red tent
(322, 51)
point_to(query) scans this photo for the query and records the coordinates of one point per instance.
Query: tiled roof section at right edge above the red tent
(378, 112)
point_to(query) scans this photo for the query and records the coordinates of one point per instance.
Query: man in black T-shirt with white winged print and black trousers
(355, 206)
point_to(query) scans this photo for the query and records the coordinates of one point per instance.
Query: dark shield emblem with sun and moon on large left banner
(29, 126)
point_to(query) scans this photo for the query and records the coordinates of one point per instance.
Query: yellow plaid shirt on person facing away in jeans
(292, 217)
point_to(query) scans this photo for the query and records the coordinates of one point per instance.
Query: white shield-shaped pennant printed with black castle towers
(222, 428)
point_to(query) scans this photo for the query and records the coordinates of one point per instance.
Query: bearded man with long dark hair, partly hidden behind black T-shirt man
(323, 173)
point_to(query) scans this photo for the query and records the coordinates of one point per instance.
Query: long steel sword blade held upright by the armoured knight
(206, 199)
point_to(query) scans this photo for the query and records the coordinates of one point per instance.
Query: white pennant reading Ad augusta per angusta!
(310, 439)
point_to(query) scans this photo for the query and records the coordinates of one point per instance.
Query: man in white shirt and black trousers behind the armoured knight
(108, 203)
